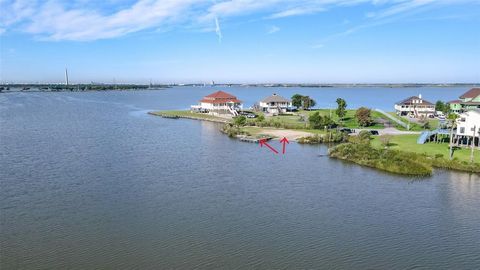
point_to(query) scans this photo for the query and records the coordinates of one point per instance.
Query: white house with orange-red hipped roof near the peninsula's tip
(220, 104)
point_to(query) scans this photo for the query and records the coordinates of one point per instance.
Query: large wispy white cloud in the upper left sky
(52, 20)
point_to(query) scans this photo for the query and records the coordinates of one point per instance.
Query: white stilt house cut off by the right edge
(468, 127)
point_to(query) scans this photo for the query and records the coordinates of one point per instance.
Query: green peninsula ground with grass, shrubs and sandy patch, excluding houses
(363, 136)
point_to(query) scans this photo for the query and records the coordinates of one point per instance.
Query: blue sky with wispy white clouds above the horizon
(309, 41)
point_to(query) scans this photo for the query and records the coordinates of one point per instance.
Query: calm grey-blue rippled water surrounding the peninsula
(89, 181)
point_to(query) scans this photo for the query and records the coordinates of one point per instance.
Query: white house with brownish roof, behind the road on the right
(415, 107)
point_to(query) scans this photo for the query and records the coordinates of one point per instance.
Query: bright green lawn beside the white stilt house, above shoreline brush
(409, 143)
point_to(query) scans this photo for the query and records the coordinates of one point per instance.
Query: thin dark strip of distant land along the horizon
(36, 87)
